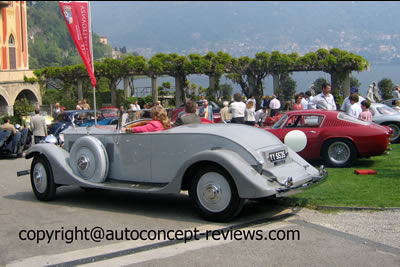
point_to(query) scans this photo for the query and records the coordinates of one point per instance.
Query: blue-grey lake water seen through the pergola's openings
(303, 79)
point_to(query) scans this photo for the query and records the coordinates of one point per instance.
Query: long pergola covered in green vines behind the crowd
(247, 72)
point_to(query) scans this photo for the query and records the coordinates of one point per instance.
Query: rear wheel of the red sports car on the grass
(339, 153)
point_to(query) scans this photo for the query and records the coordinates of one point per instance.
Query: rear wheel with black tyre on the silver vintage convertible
(215, 195)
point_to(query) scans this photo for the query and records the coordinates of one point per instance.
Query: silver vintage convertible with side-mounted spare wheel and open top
(220, 165)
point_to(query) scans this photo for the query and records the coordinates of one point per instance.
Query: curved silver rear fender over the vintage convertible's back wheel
(249, 183)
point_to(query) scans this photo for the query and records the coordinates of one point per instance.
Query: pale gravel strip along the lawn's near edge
(379, 226)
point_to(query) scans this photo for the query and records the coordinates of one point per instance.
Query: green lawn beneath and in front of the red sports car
(345, 188)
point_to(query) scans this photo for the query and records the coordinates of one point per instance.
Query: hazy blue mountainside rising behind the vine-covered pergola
(370, 29)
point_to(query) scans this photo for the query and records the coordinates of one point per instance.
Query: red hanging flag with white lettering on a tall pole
(76, 15)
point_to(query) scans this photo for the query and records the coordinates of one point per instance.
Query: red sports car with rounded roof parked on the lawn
(334, 136)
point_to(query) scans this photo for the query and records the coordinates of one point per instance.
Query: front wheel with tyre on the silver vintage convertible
(42, 179)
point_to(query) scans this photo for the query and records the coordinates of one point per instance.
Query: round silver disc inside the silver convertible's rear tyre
(214, 192)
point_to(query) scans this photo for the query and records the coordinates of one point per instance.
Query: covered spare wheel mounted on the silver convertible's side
(89, 159)
